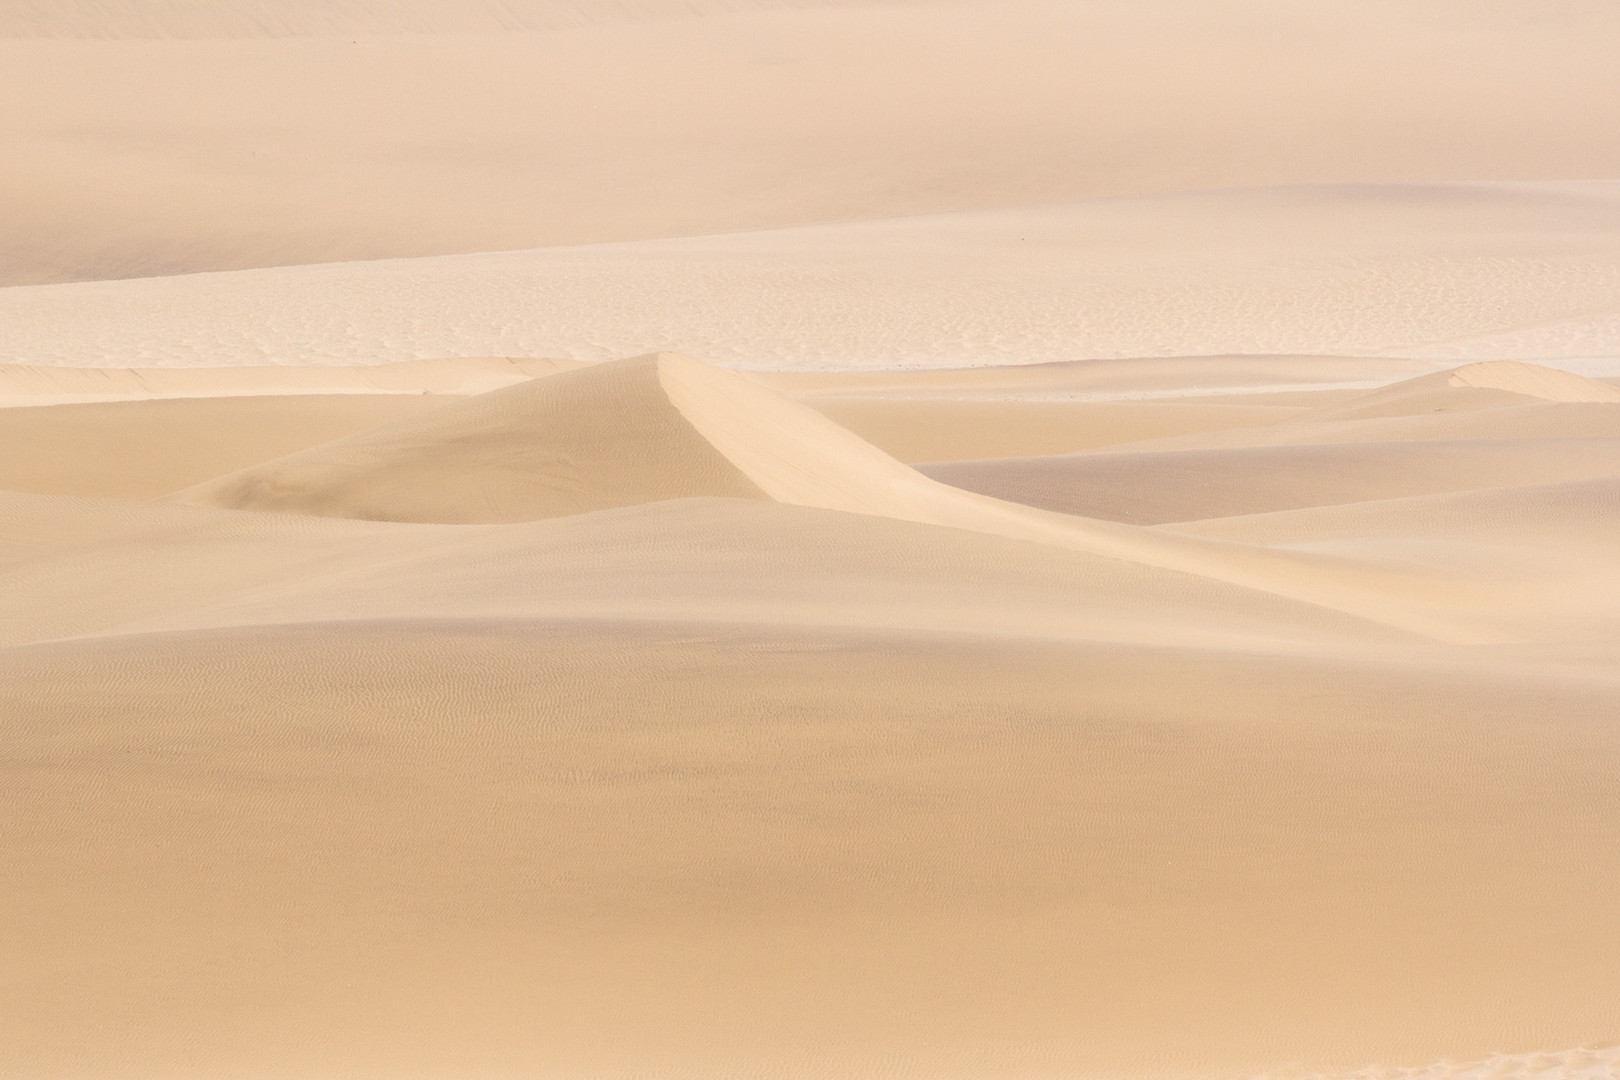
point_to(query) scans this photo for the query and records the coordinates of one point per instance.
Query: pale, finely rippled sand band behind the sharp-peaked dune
(1363, 271)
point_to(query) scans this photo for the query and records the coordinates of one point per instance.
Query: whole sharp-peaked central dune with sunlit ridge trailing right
(668, 427)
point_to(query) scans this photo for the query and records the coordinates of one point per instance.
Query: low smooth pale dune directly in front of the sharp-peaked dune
(88, 568)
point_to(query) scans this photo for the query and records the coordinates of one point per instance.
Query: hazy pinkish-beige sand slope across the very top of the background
(148, 137)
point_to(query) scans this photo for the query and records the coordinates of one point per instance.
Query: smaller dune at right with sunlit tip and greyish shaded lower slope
(1258, 469)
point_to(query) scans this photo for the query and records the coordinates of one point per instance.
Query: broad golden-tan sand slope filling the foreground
(453, 849)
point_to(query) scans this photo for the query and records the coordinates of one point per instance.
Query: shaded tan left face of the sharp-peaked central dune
(587, 440)
